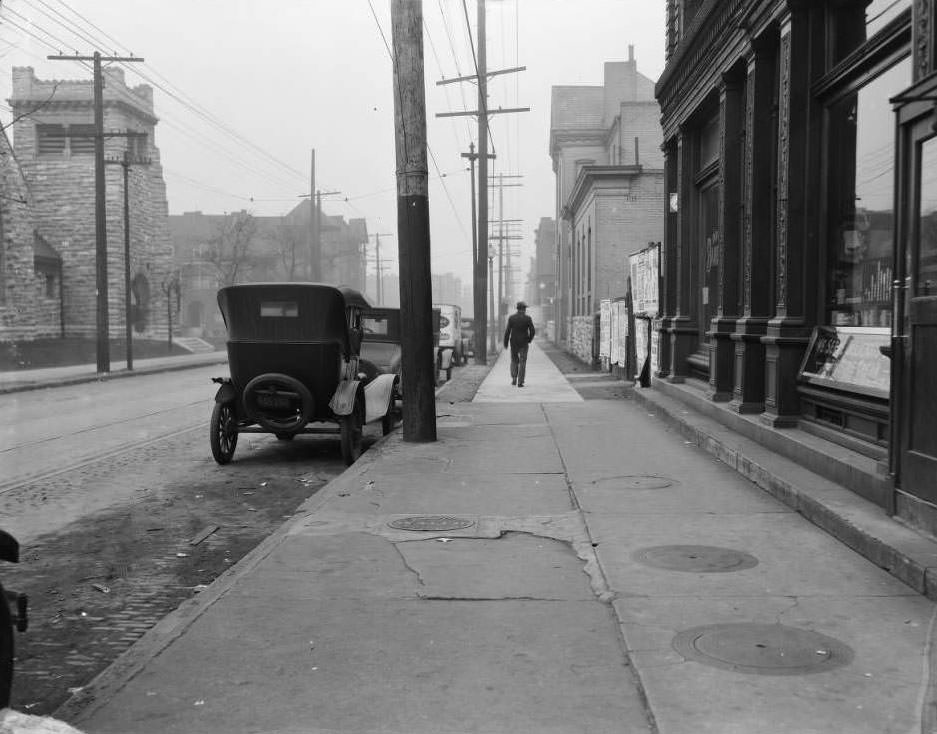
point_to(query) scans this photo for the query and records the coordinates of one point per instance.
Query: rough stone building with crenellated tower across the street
(53, 141)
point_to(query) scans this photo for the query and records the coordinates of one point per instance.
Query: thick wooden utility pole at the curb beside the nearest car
(416, 293)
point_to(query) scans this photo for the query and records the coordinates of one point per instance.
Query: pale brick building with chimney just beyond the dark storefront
(605, 145)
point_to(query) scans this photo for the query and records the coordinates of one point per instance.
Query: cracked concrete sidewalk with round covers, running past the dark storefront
(567, 566)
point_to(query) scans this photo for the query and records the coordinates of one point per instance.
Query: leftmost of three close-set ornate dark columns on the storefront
(721, 354)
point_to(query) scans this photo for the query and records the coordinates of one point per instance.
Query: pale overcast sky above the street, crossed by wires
(250, 88)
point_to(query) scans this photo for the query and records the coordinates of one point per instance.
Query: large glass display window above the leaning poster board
(861, 175)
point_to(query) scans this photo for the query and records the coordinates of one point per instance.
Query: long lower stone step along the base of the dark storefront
(861, 525)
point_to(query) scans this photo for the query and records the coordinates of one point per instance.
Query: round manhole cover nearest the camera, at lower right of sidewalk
(762, 649)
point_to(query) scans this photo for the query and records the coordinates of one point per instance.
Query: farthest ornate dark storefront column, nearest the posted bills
(682, 329)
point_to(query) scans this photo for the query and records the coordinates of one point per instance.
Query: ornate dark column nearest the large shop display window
(788, 332)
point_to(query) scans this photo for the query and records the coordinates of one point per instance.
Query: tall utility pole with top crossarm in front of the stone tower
(100, 210)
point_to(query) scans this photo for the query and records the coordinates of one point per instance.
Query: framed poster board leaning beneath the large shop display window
(848, 358)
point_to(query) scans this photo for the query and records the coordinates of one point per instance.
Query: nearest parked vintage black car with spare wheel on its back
(294, 359)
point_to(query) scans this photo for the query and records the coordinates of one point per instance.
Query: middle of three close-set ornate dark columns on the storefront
(757, 227)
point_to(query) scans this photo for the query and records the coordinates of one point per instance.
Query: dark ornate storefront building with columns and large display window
(800, 248)
